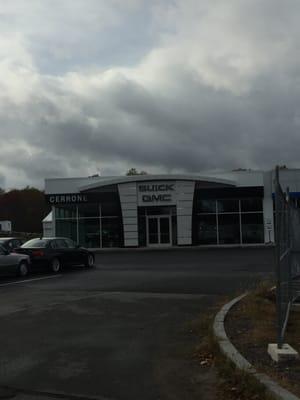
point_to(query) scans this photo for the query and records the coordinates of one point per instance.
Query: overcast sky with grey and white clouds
(97, 86)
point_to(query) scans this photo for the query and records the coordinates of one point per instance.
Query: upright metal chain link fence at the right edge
(287, 219)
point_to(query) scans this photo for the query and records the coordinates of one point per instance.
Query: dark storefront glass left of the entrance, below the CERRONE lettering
(91, 225)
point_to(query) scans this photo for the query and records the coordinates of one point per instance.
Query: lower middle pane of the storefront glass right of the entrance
(229, 228)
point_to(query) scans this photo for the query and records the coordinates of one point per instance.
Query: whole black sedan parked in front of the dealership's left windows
(55, 253)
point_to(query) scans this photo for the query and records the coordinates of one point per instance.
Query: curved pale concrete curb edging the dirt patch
(228, 349)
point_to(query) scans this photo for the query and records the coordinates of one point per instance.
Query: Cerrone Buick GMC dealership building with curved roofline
(228, 208)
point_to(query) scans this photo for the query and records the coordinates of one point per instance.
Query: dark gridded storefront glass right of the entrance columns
(228, 221)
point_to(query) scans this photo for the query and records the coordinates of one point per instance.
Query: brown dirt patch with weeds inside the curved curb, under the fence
(251, 326)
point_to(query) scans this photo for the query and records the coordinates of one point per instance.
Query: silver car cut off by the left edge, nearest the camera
(13, 263)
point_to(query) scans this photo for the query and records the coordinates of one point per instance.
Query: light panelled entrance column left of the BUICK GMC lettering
(128, 199)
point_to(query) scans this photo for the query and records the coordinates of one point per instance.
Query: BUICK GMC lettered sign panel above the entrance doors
(156, 193)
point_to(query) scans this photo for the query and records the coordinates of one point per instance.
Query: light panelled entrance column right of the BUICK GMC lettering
(184, 207)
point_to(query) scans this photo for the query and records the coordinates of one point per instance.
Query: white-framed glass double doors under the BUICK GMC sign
(159, 230)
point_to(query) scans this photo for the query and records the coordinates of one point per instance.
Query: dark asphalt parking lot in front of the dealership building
(122, 329)
